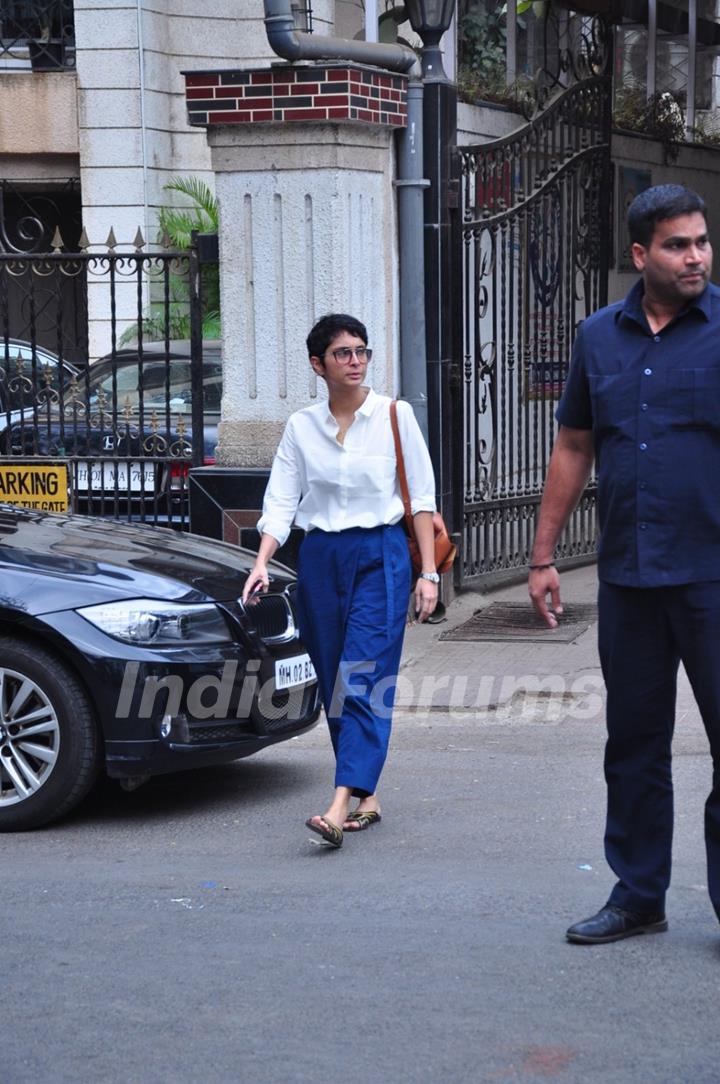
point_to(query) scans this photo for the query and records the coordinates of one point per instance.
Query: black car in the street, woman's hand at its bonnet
(127, 649)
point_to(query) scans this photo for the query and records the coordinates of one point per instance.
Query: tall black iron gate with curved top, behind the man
(534, 230)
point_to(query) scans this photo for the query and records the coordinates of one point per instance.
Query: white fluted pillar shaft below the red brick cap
(307, 228)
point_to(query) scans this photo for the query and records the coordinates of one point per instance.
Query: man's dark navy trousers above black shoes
(645, 635)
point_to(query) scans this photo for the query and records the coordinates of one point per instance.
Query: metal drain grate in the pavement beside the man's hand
(503, 622)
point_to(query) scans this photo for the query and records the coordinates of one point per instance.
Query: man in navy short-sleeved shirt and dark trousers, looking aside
(642, 399)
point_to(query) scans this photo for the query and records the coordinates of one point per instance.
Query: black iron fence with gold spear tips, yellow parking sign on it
(132, 406)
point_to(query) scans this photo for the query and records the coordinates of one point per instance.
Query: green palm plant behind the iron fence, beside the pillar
(170, 315)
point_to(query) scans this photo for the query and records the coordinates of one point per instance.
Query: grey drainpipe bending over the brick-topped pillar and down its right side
(294, 45)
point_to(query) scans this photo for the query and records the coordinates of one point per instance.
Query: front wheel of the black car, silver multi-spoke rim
(49, 745)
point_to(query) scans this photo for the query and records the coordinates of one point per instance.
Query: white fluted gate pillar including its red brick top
(304, 162)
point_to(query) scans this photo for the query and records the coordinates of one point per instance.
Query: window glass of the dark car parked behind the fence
(157, 384)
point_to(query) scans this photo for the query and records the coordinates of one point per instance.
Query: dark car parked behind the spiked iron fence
(126, 428)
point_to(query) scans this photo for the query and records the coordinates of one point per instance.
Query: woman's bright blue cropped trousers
(353, 595)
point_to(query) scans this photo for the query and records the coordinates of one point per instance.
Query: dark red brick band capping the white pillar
(319, 93)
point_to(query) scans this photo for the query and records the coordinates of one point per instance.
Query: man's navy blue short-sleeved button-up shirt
(653, 404)
